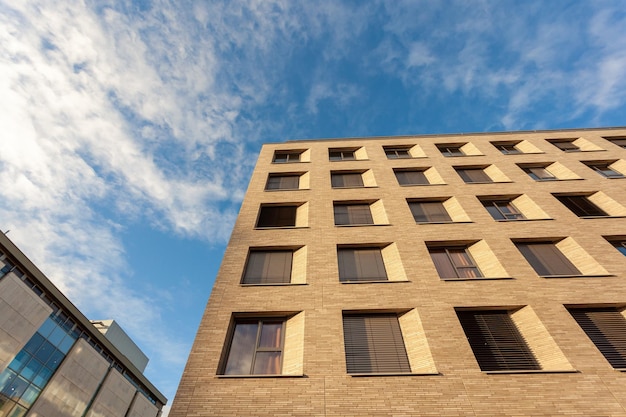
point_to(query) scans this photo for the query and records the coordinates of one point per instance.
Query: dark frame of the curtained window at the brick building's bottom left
(260, 321)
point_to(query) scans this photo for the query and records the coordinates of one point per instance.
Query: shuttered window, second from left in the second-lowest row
(361, 264)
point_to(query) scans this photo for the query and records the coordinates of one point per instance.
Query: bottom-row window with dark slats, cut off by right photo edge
(606, 328)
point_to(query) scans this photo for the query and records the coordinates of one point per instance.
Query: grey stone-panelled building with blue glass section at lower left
(54, 362)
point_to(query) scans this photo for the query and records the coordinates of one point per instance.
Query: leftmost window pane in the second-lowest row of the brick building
(268, 267)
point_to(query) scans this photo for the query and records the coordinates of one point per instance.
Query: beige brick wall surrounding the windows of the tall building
(434, 338)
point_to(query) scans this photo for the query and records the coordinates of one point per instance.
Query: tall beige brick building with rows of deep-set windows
(445, 275)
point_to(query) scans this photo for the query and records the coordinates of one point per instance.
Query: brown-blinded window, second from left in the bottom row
(374, 344)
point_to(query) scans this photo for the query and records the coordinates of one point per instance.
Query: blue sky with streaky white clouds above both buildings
(130, 128)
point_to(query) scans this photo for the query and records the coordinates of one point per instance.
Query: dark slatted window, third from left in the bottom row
(496, 342)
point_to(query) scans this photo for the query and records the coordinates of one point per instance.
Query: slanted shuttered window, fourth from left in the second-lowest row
(546, 259)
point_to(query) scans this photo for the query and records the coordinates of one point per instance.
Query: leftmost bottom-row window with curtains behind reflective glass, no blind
(256, 347)
